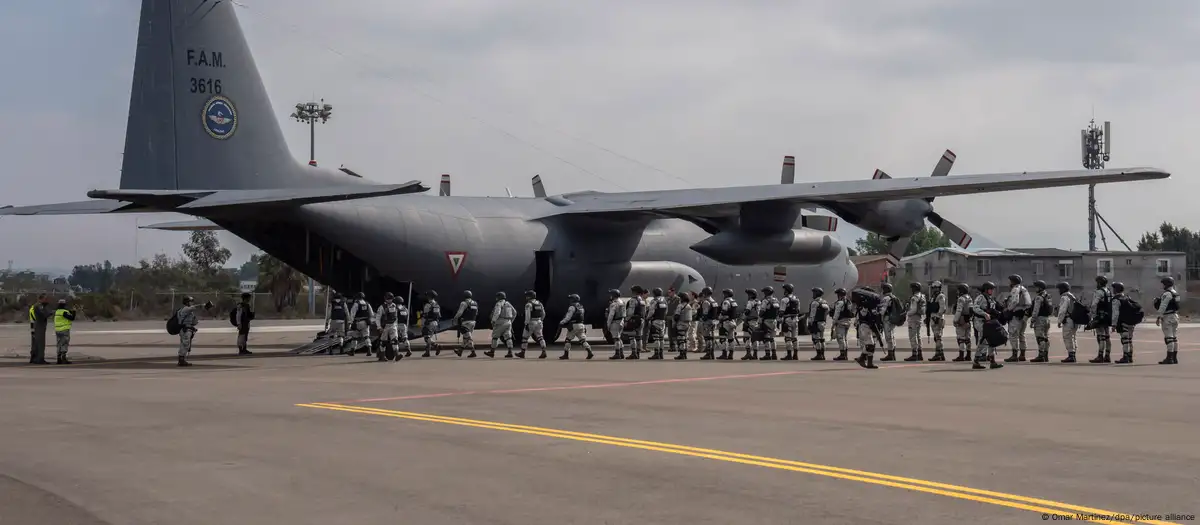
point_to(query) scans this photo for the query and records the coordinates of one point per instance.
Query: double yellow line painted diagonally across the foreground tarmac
(944, 490)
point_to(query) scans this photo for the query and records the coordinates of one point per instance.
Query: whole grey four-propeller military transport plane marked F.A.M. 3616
(203, 141)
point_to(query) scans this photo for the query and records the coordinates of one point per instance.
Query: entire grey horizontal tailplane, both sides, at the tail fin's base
(199, 202)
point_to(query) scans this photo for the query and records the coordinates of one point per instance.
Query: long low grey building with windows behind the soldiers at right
(1139, 271)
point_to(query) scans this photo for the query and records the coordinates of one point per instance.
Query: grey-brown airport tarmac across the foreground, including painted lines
(334, 439)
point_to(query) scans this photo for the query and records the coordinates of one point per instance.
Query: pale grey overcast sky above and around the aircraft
(613, 96)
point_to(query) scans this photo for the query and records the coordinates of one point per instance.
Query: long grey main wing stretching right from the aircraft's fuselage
(710, 204)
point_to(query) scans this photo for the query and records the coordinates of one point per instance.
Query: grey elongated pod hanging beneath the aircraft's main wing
(789, 248)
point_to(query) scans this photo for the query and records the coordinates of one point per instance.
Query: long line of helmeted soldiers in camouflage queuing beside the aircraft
(656, 323)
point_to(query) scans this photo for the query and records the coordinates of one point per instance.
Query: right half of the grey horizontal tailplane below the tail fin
(298, 197)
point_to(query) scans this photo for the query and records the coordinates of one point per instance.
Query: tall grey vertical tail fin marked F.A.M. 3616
(200, 117)
